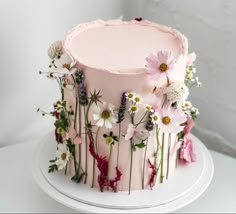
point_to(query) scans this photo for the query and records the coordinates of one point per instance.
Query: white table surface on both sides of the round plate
(20, 193)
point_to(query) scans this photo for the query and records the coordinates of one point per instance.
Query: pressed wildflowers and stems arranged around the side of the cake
(175, 115)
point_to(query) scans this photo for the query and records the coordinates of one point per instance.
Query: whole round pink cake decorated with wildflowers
(123, 122)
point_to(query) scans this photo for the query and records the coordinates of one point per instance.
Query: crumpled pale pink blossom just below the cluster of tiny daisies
(138, 134)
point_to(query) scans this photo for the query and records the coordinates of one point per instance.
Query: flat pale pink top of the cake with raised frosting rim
(120, 46)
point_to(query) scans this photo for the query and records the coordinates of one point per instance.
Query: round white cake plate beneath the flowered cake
(184, 186)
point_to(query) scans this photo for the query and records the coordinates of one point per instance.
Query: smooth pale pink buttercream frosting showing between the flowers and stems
(112, 56)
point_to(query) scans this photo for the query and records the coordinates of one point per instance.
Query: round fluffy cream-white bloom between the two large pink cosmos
(177, 91)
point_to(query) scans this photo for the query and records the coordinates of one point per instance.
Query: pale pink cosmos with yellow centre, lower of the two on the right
(171, 120)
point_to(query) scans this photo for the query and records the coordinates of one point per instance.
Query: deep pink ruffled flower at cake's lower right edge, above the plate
(186, 153)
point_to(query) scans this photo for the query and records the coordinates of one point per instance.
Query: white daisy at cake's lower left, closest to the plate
(63, 156)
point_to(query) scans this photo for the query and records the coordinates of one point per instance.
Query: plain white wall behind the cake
(28, 27)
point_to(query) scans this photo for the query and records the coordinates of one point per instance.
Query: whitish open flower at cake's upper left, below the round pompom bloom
(64, 66)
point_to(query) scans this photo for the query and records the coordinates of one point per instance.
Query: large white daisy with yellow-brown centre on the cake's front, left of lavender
(105, 116)
